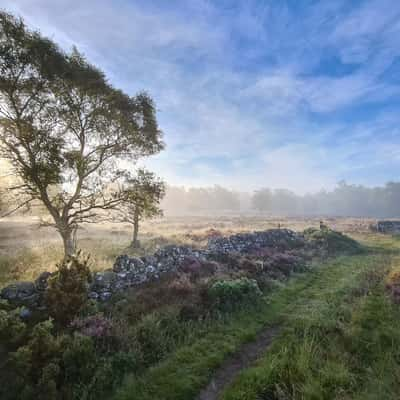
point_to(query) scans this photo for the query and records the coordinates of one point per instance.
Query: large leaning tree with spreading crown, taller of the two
(63, 126)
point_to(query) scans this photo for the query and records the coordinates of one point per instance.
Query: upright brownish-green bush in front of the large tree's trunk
(67, 290)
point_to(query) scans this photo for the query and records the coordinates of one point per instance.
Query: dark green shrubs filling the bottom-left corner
(39, 364)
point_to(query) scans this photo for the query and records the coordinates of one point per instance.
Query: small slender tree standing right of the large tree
(141, 199)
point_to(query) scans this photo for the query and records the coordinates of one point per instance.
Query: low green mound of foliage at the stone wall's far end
(332, 241)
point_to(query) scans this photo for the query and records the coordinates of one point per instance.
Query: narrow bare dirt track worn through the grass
(232, 366)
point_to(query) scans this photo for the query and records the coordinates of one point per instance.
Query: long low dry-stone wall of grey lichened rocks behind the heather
(133, 271)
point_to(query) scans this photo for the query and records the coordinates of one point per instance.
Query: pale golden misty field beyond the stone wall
(26, 249)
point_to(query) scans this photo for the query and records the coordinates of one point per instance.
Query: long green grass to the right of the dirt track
(342, 343)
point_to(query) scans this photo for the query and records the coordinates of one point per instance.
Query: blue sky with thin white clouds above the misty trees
(297, 94)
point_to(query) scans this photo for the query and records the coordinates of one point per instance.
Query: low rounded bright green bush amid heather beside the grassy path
(228, 295)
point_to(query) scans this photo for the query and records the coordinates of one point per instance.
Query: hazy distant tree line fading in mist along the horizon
(344, 200)
